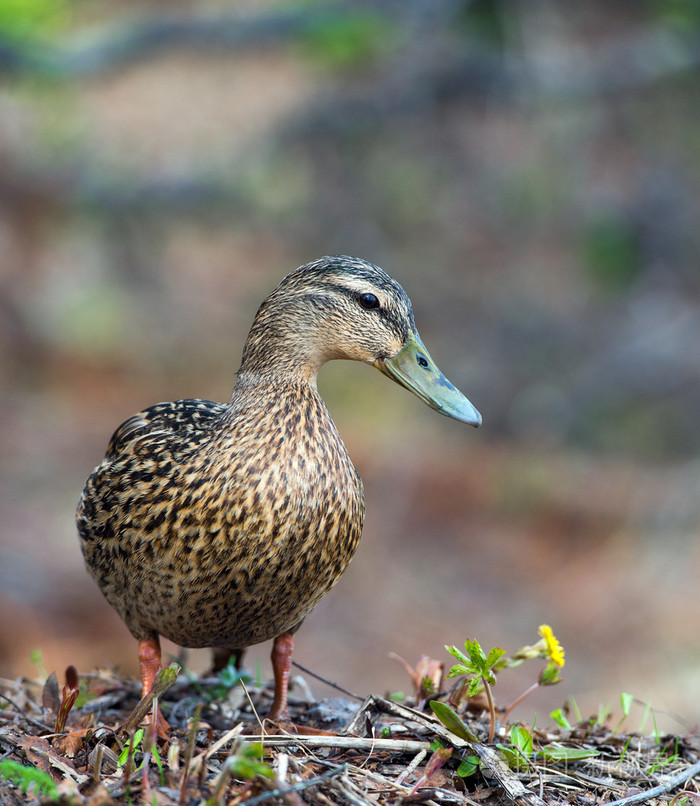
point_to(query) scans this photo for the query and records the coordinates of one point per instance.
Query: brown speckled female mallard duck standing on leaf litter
(223, 525)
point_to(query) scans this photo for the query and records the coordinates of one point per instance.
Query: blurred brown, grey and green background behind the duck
(529, 171)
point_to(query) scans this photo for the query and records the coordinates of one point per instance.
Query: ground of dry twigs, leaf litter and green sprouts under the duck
(342, 750)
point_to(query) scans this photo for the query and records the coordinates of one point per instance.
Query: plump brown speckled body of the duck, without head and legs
(222, 525)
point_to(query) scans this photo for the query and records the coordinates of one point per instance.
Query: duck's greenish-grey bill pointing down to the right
(414, 369)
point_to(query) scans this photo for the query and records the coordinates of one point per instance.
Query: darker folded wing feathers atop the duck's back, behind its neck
(189, 419)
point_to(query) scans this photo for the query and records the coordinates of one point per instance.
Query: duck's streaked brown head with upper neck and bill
(344, 307)
